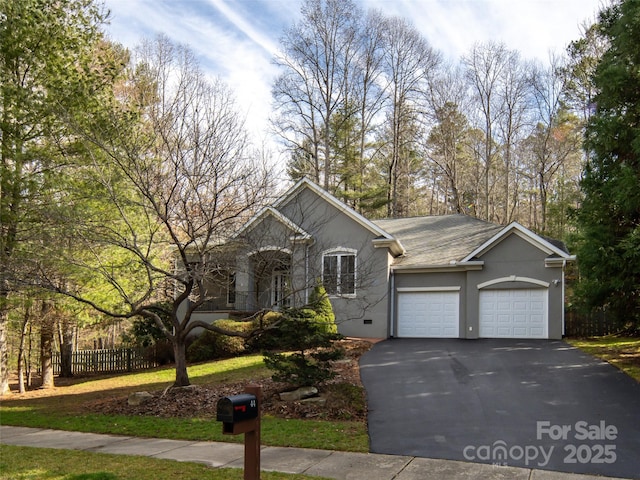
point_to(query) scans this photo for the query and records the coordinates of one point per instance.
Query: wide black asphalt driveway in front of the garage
(531, 403)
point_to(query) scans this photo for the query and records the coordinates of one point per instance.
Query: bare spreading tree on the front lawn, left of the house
(174, 178)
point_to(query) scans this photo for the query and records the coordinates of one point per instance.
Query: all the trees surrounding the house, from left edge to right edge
(117, 162)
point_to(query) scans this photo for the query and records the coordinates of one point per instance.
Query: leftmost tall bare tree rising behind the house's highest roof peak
(317, 62)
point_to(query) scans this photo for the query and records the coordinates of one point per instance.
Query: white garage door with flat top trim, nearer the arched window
(428, 314)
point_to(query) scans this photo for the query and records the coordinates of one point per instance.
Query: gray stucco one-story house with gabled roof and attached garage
(449, 276)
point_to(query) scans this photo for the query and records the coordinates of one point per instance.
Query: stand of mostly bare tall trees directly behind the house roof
(367, 109)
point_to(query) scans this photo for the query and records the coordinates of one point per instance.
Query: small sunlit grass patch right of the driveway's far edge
(622, 352)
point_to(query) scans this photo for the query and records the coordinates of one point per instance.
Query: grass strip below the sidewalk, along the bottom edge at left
(27, 463)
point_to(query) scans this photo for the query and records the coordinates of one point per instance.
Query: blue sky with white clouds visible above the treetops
(236, 40)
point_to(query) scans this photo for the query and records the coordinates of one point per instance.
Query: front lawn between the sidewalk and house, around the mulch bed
(65, 409)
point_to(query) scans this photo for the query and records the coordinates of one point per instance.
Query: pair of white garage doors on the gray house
(506, 313)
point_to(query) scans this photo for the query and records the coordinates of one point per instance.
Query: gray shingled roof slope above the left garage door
(438, 240)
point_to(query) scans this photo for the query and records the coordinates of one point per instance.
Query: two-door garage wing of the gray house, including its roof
(464, 283)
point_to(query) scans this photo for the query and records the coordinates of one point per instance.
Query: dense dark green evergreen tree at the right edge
(609, 218)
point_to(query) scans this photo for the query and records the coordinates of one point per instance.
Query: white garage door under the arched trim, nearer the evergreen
(513, 313)
